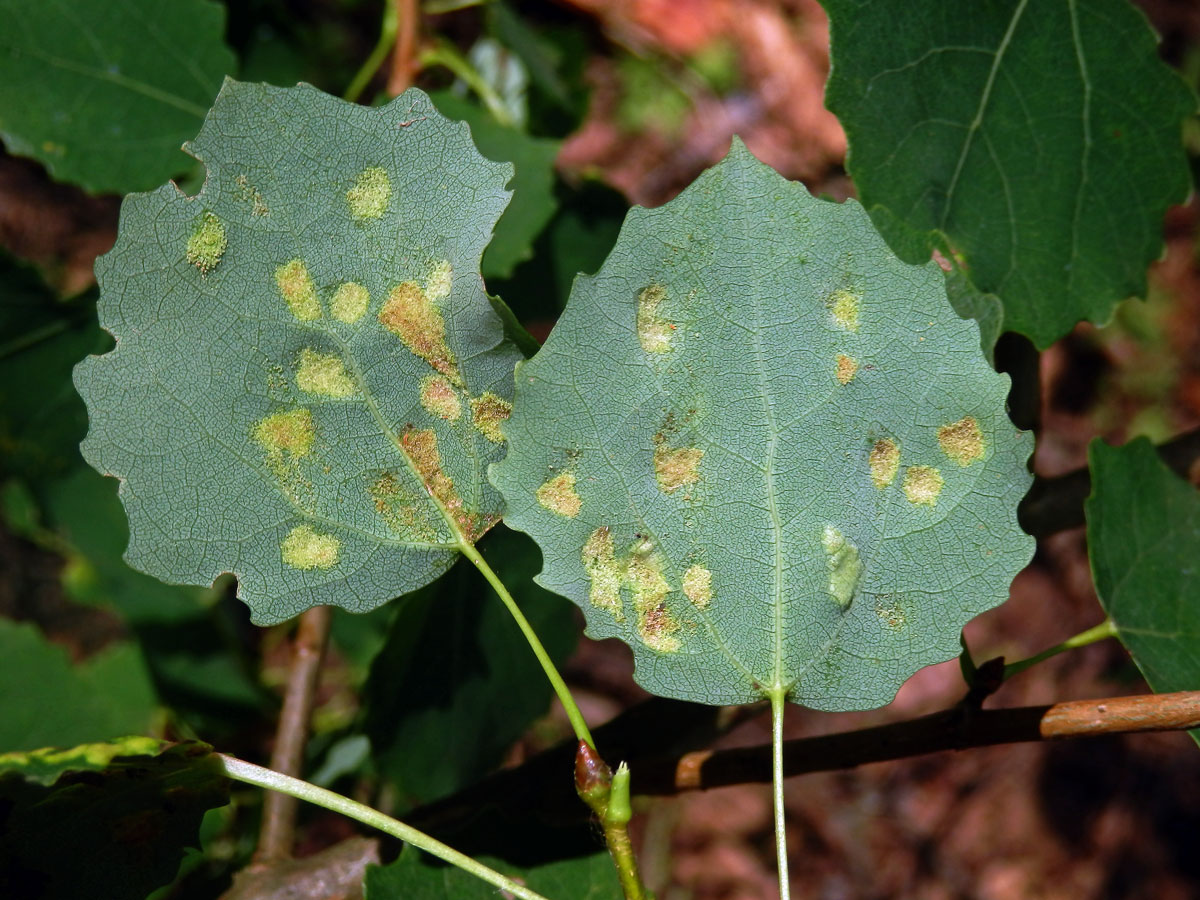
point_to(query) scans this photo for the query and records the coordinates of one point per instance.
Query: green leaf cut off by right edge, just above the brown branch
(1144, 543)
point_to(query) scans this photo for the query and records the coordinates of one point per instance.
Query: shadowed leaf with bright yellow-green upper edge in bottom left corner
(103, 821)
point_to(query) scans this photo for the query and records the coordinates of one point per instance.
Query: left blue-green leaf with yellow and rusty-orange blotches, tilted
(309, 380)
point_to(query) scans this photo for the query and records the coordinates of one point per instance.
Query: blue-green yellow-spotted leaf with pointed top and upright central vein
(765, 453)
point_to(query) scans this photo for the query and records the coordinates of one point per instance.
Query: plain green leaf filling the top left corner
(104, 94)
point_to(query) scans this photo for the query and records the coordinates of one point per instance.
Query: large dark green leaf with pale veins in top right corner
(1041, 140)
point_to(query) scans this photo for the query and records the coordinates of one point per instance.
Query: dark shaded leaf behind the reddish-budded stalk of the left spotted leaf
(457, 686)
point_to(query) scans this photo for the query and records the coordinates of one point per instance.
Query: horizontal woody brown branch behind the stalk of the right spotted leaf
(539, 783)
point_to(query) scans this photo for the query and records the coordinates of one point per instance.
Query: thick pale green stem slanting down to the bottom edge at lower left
(243, 771)
